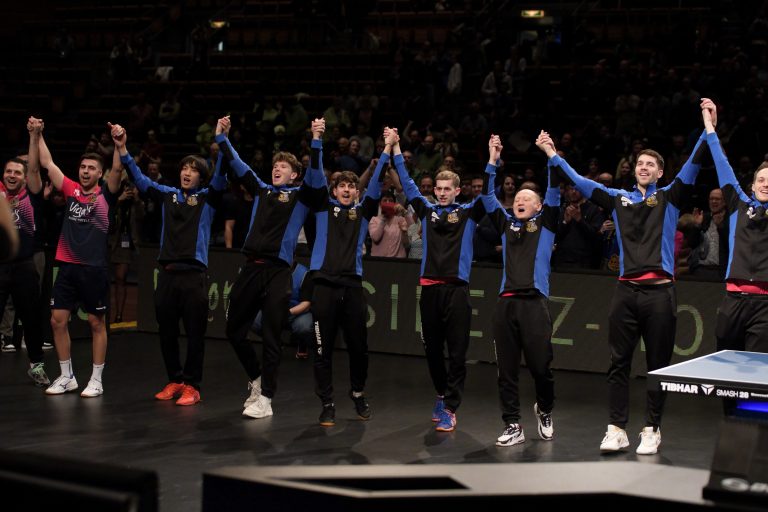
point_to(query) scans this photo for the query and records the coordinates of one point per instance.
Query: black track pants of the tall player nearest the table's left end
(651, 312)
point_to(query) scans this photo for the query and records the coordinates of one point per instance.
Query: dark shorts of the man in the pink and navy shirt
(83, 284)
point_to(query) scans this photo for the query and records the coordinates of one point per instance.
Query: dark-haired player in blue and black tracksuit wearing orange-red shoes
(182, 280)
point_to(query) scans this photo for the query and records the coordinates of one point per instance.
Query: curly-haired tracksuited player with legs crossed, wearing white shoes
(264, 282)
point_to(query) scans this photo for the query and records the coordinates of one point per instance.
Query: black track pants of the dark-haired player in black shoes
(335, 307)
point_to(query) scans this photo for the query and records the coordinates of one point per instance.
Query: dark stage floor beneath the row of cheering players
(128, 427)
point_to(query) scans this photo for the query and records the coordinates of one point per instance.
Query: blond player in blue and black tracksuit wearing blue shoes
(447, 231)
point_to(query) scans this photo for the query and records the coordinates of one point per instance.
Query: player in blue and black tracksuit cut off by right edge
(742, 319)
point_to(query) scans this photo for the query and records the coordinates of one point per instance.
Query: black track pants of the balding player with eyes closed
(522, 326)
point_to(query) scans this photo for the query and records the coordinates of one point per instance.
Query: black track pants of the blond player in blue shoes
(445, 317)
